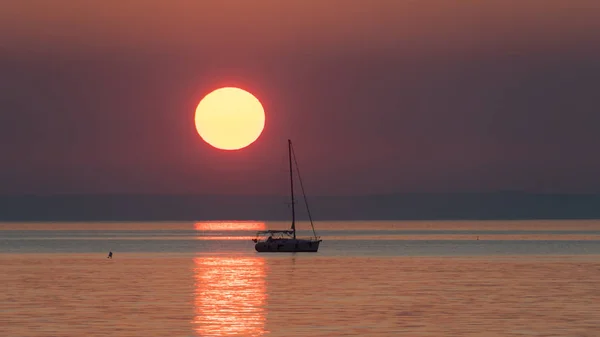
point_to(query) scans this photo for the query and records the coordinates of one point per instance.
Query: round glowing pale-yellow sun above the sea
(230, 118)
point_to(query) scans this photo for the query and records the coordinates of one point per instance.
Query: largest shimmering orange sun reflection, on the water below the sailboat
(230, 296)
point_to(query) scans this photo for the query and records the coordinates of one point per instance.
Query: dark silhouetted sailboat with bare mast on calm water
(285, 241)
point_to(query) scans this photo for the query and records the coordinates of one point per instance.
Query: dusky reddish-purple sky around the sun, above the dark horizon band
(378, 96)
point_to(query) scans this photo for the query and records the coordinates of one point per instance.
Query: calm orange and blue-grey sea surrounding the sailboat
(369, 278)
